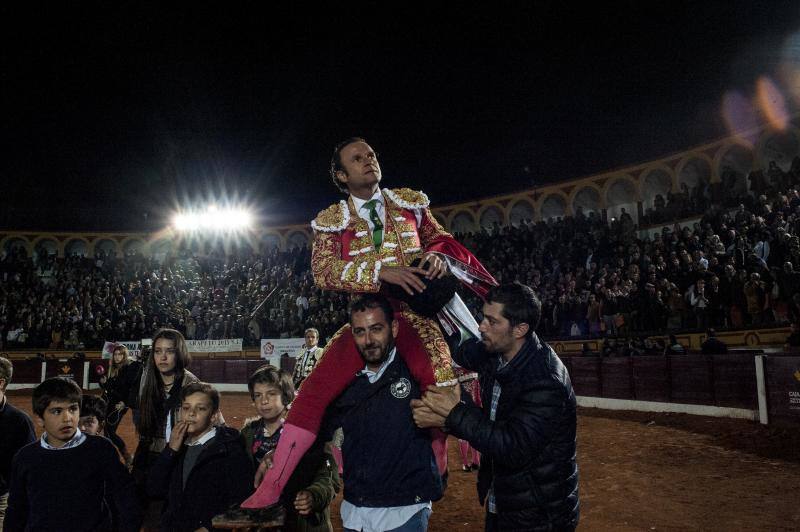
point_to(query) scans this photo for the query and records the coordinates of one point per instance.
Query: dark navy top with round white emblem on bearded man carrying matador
(388, 461)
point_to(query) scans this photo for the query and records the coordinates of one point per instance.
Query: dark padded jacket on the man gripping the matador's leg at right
(529, 450)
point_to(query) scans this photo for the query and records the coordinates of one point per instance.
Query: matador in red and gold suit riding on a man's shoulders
(368, 243)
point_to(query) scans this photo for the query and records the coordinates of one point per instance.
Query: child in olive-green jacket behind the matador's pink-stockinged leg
(314, 483)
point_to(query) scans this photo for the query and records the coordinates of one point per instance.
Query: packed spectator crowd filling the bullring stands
(735, 267)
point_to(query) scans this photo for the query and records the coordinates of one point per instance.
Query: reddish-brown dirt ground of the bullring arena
(639, 471)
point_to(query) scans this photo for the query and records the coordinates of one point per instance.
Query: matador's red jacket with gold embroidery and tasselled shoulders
(345, 259)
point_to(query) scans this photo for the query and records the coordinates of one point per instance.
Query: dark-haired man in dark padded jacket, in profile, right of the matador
(526, 428)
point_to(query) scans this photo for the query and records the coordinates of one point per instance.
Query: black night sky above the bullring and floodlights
(112, 118)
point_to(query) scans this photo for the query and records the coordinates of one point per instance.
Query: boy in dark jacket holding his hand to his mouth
(204, 469)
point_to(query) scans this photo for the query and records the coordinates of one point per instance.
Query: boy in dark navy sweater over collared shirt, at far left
(61, 481)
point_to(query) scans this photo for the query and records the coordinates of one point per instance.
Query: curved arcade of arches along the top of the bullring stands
(634, 189)
